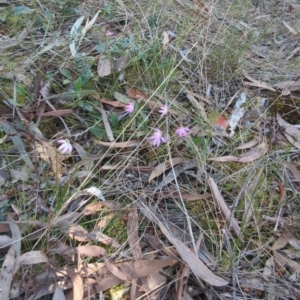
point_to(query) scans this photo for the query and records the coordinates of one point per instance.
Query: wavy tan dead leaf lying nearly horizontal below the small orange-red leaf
(249, 156)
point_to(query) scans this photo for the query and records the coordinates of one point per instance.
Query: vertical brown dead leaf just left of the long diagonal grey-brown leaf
(132, 233)
